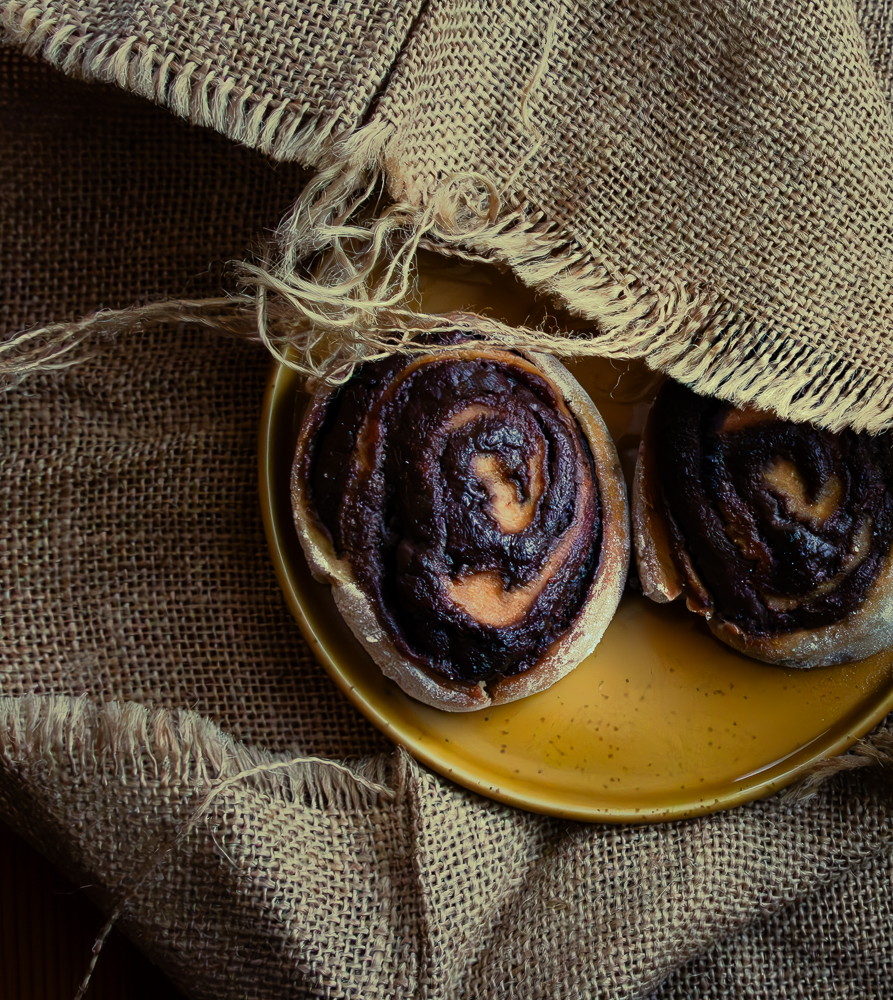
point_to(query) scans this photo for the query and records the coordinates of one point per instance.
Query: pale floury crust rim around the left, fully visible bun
(567, 652)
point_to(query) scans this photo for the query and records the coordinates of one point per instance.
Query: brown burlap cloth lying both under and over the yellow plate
(166, 734)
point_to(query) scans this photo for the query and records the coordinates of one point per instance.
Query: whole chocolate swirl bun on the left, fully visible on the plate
(468, 510)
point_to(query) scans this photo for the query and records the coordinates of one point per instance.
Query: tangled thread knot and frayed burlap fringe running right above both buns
(356, 303)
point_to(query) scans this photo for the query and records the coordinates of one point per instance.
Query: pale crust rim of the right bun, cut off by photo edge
(865, 631)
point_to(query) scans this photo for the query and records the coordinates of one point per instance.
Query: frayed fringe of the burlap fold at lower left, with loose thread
(127, 743)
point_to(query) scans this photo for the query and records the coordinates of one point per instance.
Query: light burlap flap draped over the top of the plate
(706, 182)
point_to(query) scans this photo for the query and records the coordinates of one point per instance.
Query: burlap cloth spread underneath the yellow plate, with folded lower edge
(134, 571)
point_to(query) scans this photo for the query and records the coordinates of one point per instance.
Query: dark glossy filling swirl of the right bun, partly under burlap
(784, 525)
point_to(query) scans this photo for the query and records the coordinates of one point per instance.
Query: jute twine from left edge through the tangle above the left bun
(355, 307)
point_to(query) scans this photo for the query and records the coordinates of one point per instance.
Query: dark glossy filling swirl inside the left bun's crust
(461, 490)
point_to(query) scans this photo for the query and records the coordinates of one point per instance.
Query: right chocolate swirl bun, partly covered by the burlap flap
(778, 533)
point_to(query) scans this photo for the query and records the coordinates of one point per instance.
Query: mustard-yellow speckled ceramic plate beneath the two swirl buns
(661, 722)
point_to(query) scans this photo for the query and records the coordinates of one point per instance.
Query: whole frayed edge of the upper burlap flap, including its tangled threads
(342, 265)
